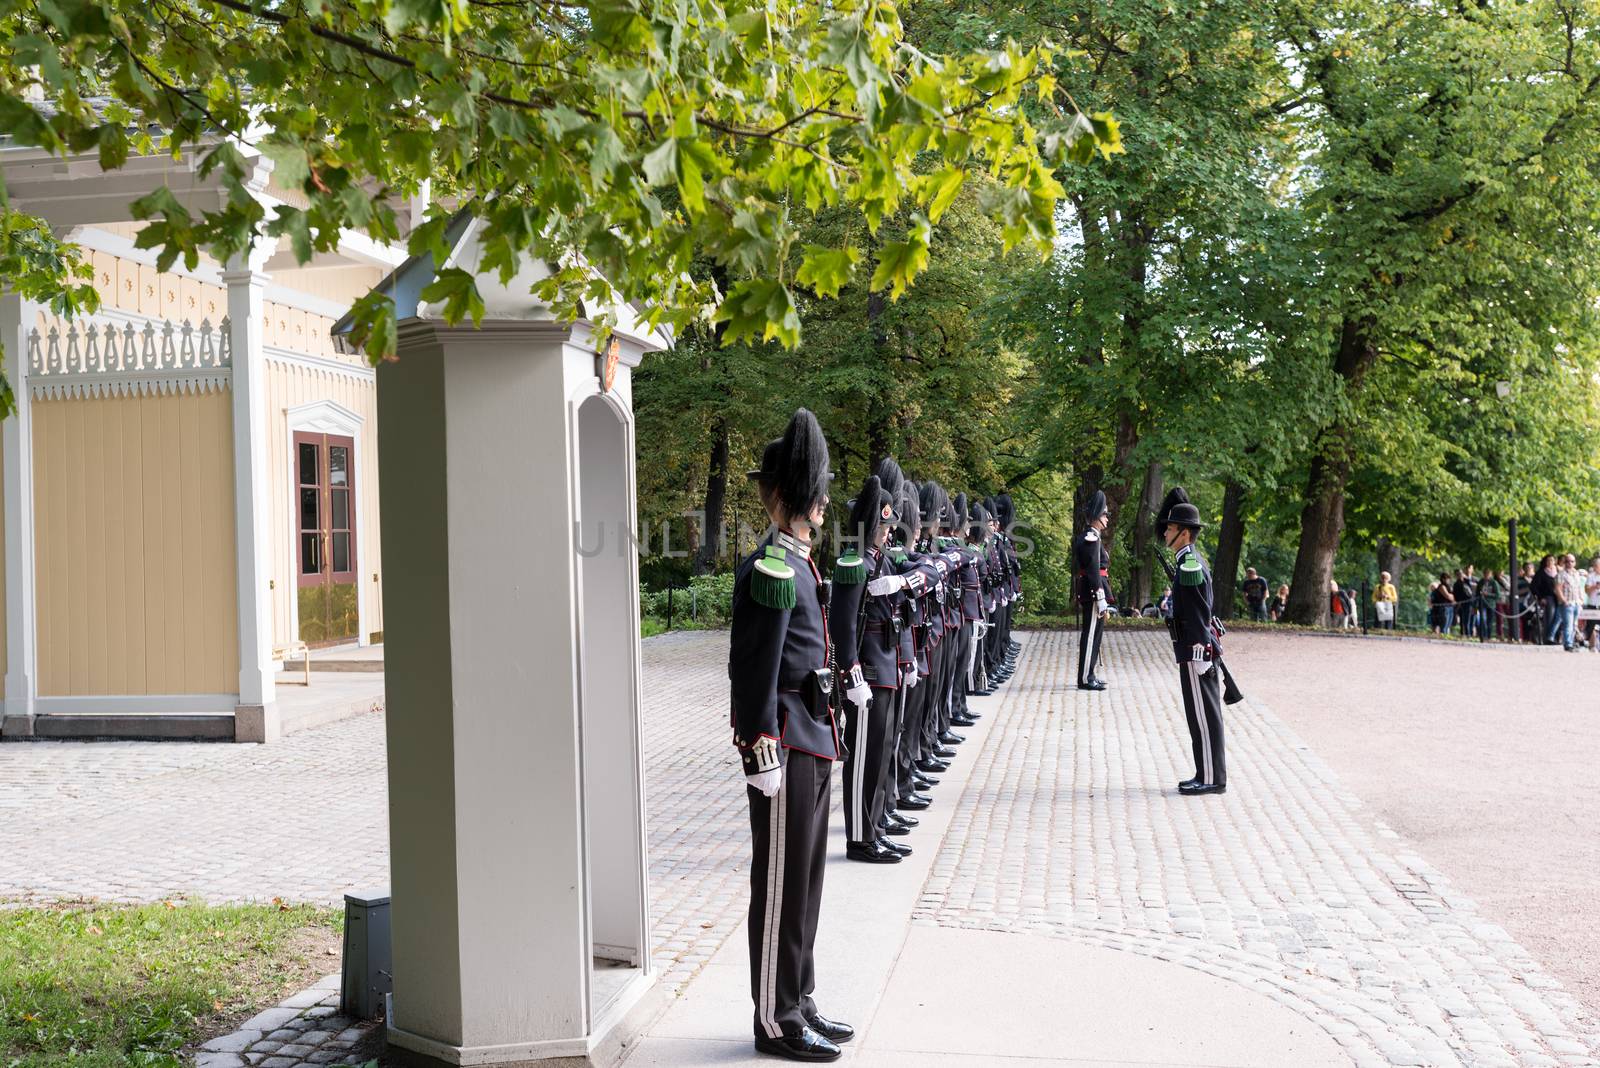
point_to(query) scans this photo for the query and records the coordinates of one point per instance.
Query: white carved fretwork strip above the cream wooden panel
(94, 359)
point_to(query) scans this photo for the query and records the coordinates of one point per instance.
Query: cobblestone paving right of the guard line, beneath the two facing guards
(1071, 827)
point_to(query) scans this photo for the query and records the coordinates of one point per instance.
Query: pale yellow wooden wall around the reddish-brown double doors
(290, 386)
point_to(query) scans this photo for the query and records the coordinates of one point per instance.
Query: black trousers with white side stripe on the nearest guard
(790, 835)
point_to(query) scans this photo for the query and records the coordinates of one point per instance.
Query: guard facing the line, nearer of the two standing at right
(1198, 648)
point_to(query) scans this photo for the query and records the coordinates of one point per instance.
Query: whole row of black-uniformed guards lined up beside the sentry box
(873, 669)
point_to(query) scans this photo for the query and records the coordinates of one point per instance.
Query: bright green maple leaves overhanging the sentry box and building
(614, 140)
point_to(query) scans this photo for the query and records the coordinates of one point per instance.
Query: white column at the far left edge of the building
(17, 444)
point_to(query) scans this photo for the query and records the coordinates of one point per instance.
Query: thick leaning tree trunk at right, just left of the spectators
(1322, 517)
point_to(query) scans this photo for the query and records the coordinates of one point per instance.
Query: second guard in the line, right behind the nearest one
(870, 656)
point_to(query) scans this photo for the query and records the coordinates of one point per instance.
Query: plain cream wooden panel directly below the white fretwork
(135, 541)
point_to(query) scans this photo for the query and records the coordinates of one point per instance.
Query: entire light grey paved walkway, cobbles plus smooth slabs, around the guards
(1065, 906)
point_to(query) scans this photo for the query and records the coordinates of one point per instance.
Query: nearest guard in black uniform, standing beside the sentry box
(783, 687)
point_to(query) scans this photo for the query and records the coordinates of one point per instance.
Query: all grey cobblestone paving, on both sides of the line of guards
(1070, 827)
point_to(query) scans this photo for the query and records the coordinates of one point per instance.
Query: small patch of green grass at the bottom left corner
(92, 986)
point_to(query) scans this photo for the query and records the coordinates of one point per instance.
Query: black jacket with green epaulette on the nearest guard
(772, 658)
